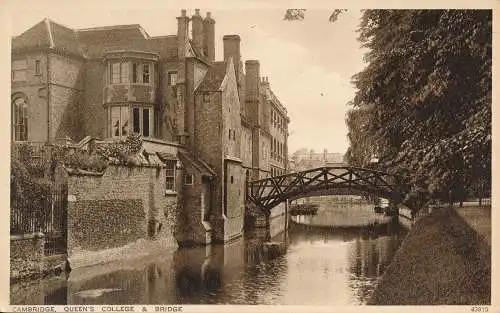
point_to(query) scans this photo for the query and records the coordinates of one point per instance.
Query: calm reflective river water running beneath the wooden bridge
(309, 264)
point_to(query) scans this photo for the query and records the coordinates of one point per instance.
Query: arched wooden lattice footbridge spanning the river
(338, 180)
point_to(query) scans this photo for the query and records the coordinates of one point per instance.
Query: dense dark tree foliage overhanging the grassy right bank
(425, 96)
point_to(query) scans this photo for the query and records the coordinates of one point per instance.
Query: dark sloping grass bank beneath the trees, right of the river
(442, 261)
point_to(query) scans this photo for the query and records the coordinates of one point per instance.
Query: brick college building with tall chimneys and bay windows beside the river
(217, 123)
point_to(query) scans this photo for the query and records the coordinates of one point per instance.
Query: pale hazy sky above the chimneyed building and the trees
(309, 63)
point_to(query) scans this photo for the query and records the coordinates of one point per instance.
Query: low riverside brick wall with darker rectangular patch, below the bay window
(119, 207)
